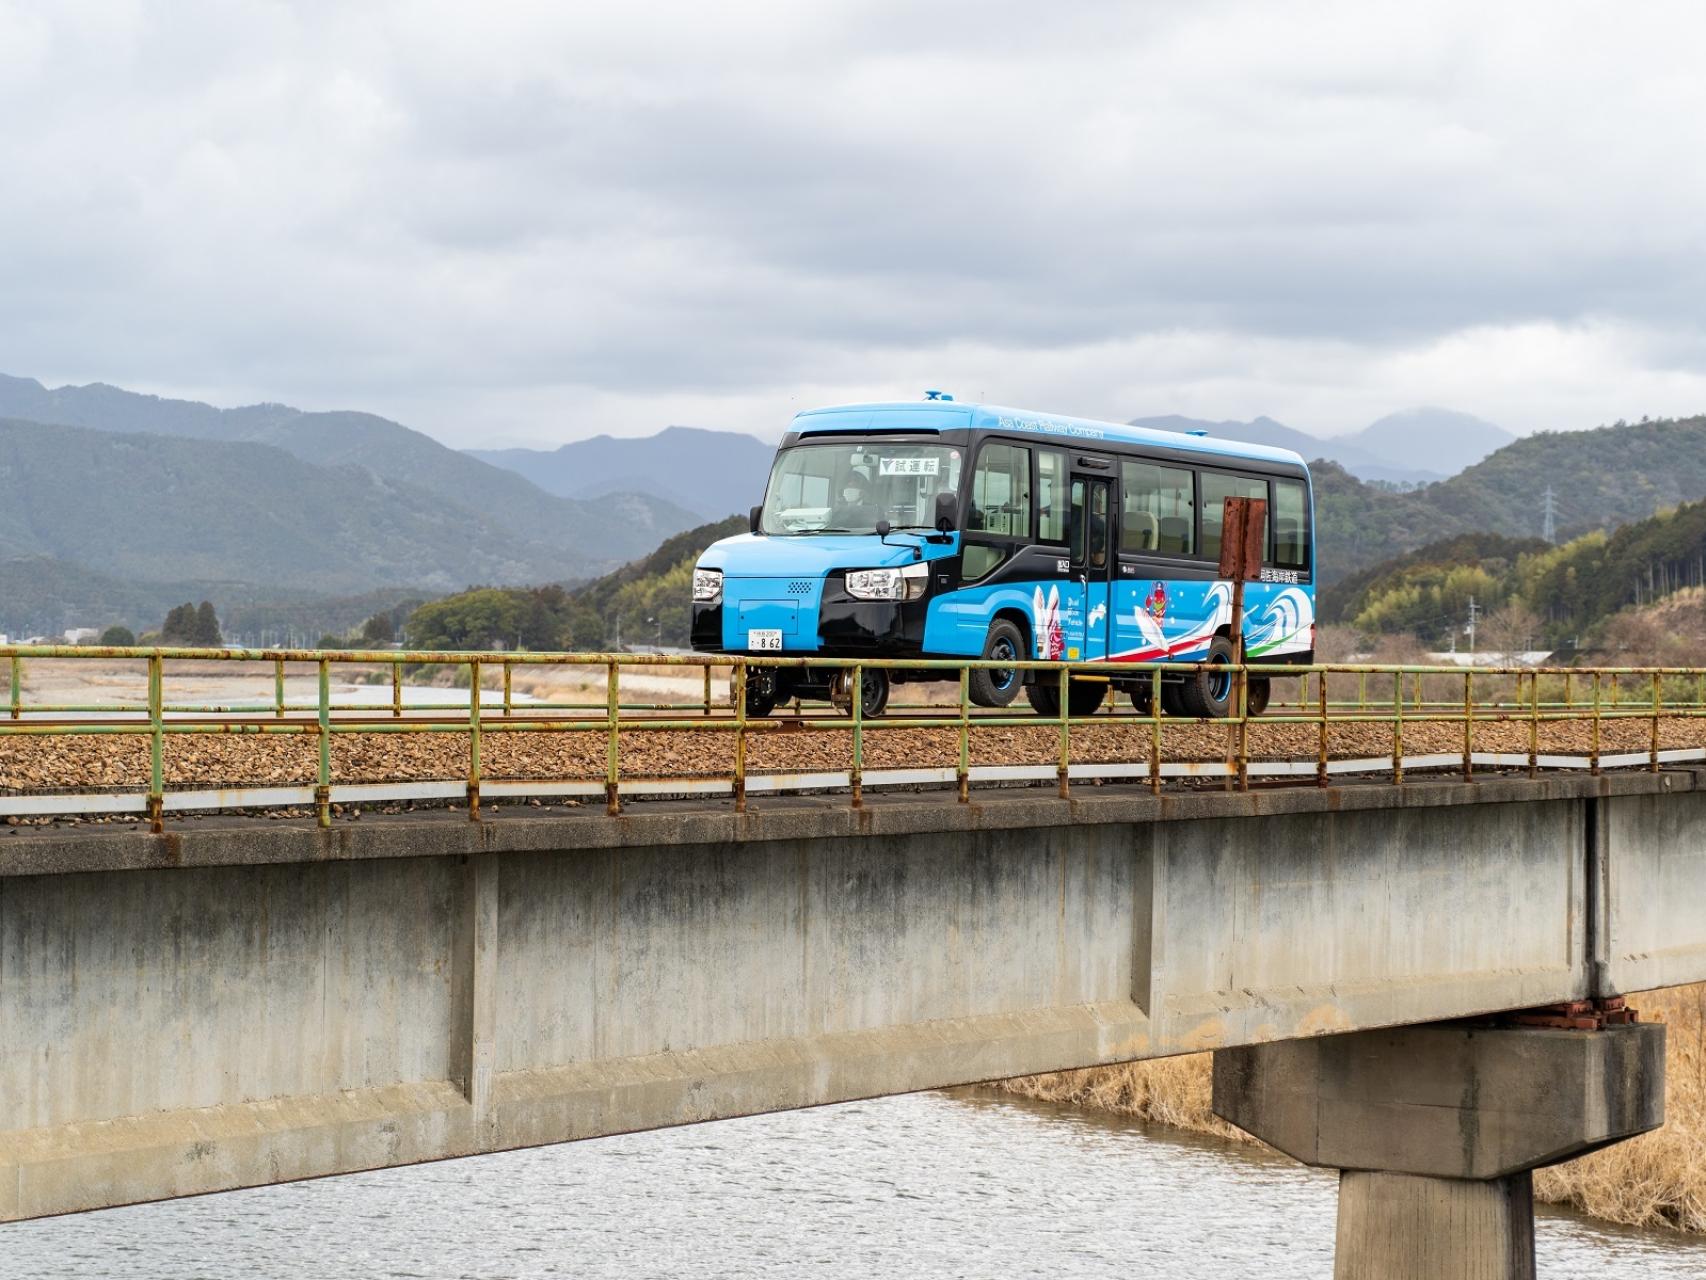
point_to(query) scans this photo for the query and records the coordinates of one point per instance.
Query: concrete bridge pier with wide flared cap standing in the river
(1437, 1131)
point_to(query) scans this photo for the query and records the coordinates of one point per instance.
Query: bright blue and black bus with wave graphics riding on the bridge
(944, 530)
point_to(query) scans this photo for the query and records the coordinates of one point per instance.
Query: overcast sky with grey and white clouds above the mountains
(525, 224)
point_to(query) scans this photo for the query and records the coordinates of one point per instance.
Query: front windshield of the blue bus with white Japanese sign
(847, 487)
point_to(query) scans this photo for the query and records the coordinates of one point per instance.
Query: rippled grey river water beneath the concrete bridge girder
(932, 1185)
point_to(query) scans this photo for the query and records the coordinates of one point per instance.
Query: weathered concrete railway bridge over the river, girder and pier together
(255, 998)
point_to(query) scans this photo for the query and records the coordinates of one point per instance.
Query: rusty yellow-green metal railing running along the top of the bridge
(1325, 699)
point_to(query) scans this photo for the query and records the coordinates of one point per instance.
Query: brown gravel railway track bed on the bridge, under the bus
(74, 760)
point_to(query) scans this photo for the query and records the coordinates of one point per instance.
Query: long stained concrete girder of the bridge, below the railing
(245, 1001)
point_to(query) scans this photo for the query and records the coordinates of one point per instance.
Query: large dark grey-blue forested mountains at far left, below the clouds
(122, 496)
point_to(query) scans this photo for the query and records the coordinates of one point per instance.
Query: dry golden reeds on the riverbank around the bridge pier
(1657, 1180)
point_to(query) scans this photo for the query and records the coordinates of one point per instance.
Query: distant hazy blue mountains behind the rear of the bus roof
(1410, 448)
